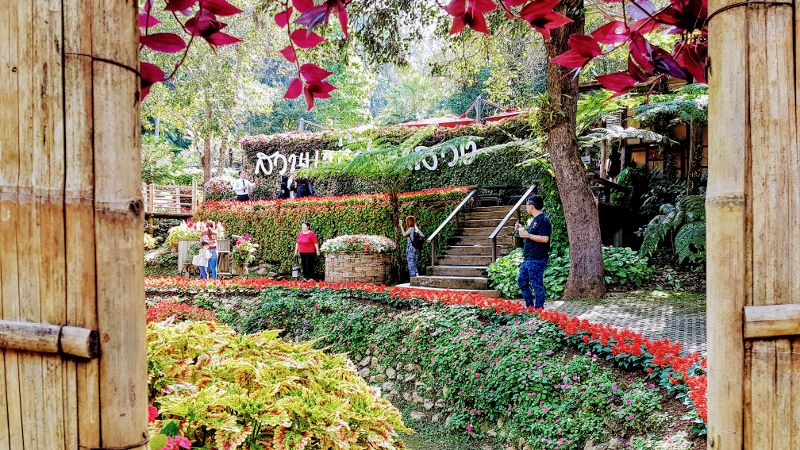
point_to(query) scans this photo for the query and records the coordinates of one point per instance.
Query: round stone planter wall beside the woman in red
(358, 267)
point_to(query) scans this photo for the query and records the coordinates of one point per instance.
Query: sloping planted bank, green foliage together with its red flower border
(480, 329)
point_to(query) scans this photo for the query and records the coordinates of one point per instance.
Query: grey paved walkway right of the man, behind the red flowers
(655, 314)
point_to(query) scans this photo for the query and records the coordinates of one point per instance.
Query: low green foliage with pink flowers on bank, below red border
(488, 371)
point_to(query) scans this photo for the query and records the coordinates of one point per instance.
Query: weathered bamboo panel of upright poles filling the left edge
(71, 221)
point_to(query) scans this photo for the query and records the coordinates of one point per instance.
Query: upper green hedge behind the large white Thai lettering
(494, 169)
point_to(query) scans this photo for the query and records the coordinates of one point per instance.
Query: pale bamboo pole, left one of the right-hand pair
(725, 209)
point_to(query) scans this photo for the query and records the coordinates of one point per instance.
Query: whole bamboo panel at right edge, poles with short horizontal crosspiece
(753, 208)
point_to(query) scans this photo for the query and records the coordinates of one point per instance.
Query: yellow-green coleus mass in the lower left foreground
(224, 390)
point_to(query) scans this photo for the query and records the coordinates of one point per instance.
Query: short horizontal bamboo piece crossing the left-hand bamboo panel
(46, 338)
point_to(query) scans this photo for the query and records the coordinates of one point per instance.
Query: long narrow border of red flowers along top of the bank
(662, 359)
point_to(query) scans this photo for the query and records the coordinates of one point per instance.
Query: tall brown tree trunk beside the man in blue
(580, 208)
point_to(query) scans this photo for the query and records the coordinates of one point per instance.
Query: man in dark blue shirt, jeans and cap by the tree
(536, 252)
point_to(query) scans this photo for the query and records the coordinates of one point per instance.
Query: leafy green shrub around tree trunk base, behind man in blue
(623, 267)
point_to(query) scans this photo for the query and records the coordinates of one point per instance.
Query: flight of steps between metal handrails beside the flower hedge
(465, 262)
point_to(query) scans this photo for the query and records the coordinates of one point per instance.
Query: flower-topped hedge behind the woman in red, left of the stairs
(274, 224)
